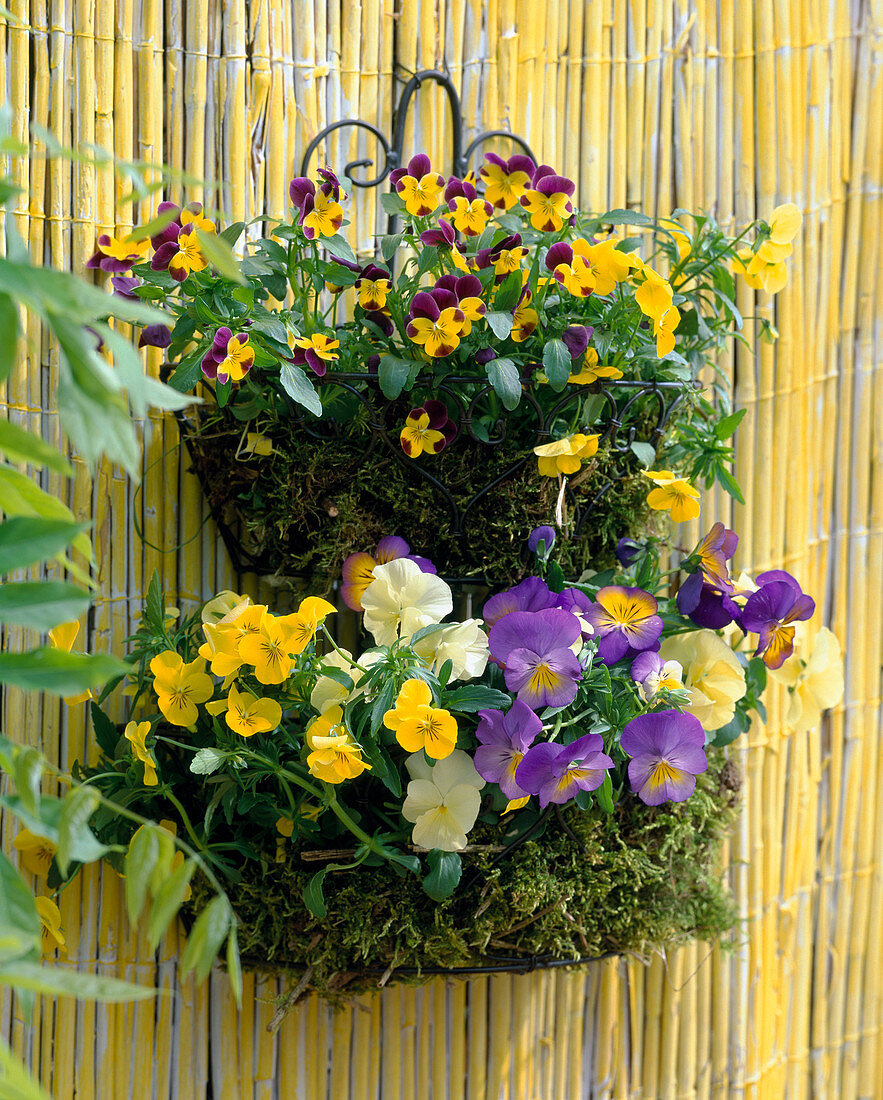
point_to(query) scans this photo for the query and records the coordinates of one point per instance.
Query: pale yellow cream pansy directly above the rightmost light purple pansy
(712, 674)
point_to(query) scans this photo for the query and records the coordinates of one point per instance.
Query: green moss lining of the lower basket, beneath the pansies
(591, 885)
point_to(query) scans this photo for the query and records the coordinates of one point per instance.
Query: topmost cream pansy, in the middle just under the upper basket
(402, 599)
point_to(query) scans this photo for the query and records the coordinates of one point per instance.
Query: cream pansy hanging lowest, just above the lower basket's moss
(443, 800)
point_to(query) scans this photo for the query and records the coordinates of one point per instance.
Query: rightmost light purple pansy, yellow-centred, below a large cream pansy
(668, 752)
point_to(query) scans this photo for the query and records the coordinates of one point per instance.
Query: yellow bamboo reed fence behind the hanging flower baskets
(732, 106)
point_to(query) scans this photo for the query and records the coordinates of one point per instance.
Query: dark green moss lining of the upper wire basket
(308, 505)
